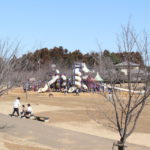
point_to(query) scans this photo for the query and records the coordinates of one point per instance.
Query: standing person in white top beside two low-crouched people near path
(25, 112)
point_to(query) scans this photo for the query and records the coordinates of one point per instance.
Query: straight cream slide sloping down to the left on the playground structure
(53, 80)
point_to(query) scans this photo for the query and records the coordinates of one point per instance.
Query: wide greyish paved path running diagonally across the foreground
(57, 138)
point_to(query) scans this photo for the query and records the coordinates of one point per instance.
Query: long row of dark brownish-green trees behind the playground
(65, 59)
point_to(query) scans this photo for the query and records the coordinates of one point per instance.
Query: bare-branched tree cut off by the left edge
(8, 50)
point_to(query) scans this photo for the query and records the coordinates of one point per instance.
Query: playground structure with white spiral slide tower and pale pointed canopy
(80, 79)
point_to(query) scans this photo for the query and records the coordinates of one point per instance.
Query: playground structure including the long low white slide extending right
(80, 79)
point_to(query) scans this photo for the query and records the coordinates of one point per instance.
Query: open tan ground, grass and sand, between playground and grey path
(76, 113)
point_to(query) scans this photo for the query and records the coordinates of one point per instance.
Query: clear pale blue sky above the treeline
(73, 24)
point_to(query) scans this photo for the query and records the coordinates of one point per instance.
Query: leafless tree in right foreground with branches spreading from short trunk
(128, 108)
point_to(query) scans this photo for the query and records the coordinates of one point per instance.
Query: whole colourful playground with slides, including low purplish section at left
(81, 79)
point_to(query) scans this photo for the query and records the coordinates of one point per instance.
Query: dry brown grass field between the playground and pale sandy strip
(73, 108)
